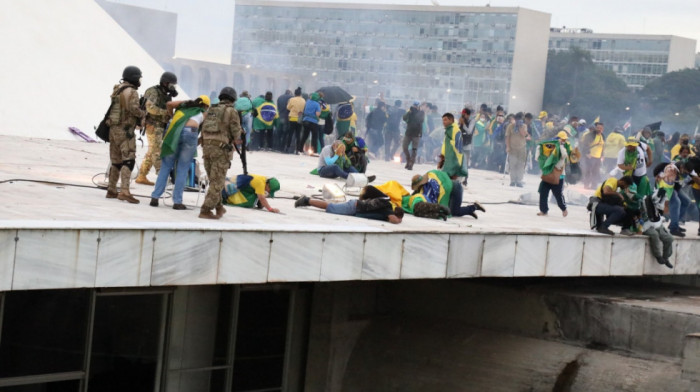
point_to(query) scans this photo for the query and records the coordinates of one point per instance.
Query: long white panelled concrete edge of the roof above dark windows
(72, 258)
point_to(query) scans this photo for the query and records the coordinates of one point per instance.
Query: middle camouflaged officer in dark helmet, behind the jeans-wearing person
(156, 98)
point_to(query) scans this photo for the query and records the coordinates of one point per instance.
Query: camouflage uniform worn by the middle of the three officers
(156, 119)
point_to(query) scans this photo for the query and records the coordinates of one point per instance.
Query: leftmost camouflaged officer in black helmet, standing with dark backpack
(125, 114)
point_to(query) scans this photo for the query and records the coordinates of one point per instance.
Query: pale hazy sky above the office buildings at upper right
(669, 17)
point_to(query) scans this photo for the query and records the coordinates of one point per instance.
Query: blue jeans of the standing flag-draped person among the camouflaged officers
(186, 148)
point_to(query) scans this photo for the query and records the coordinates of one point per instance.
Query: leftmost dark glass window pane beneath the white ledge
(43, 331)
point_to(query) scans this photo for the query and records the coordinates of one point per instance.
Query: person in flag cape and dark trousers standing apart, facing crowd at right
(553, 154)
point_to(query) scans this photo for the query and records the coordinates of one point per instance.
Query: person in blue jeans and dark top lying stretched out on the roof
(373, 204)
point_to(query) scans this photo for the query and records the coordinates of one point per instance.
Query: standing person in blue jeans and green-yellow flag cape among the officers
(179, 147)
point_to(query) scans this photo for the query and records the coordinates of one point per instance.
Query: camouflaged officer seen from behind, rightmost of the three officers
(220, 130)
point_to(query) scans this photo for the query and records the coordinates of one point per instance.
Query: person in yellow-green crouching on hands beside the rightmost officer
(250, 191)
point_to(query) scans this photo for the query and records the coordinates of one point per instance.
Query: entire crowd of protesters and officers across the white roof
(623, 169)
